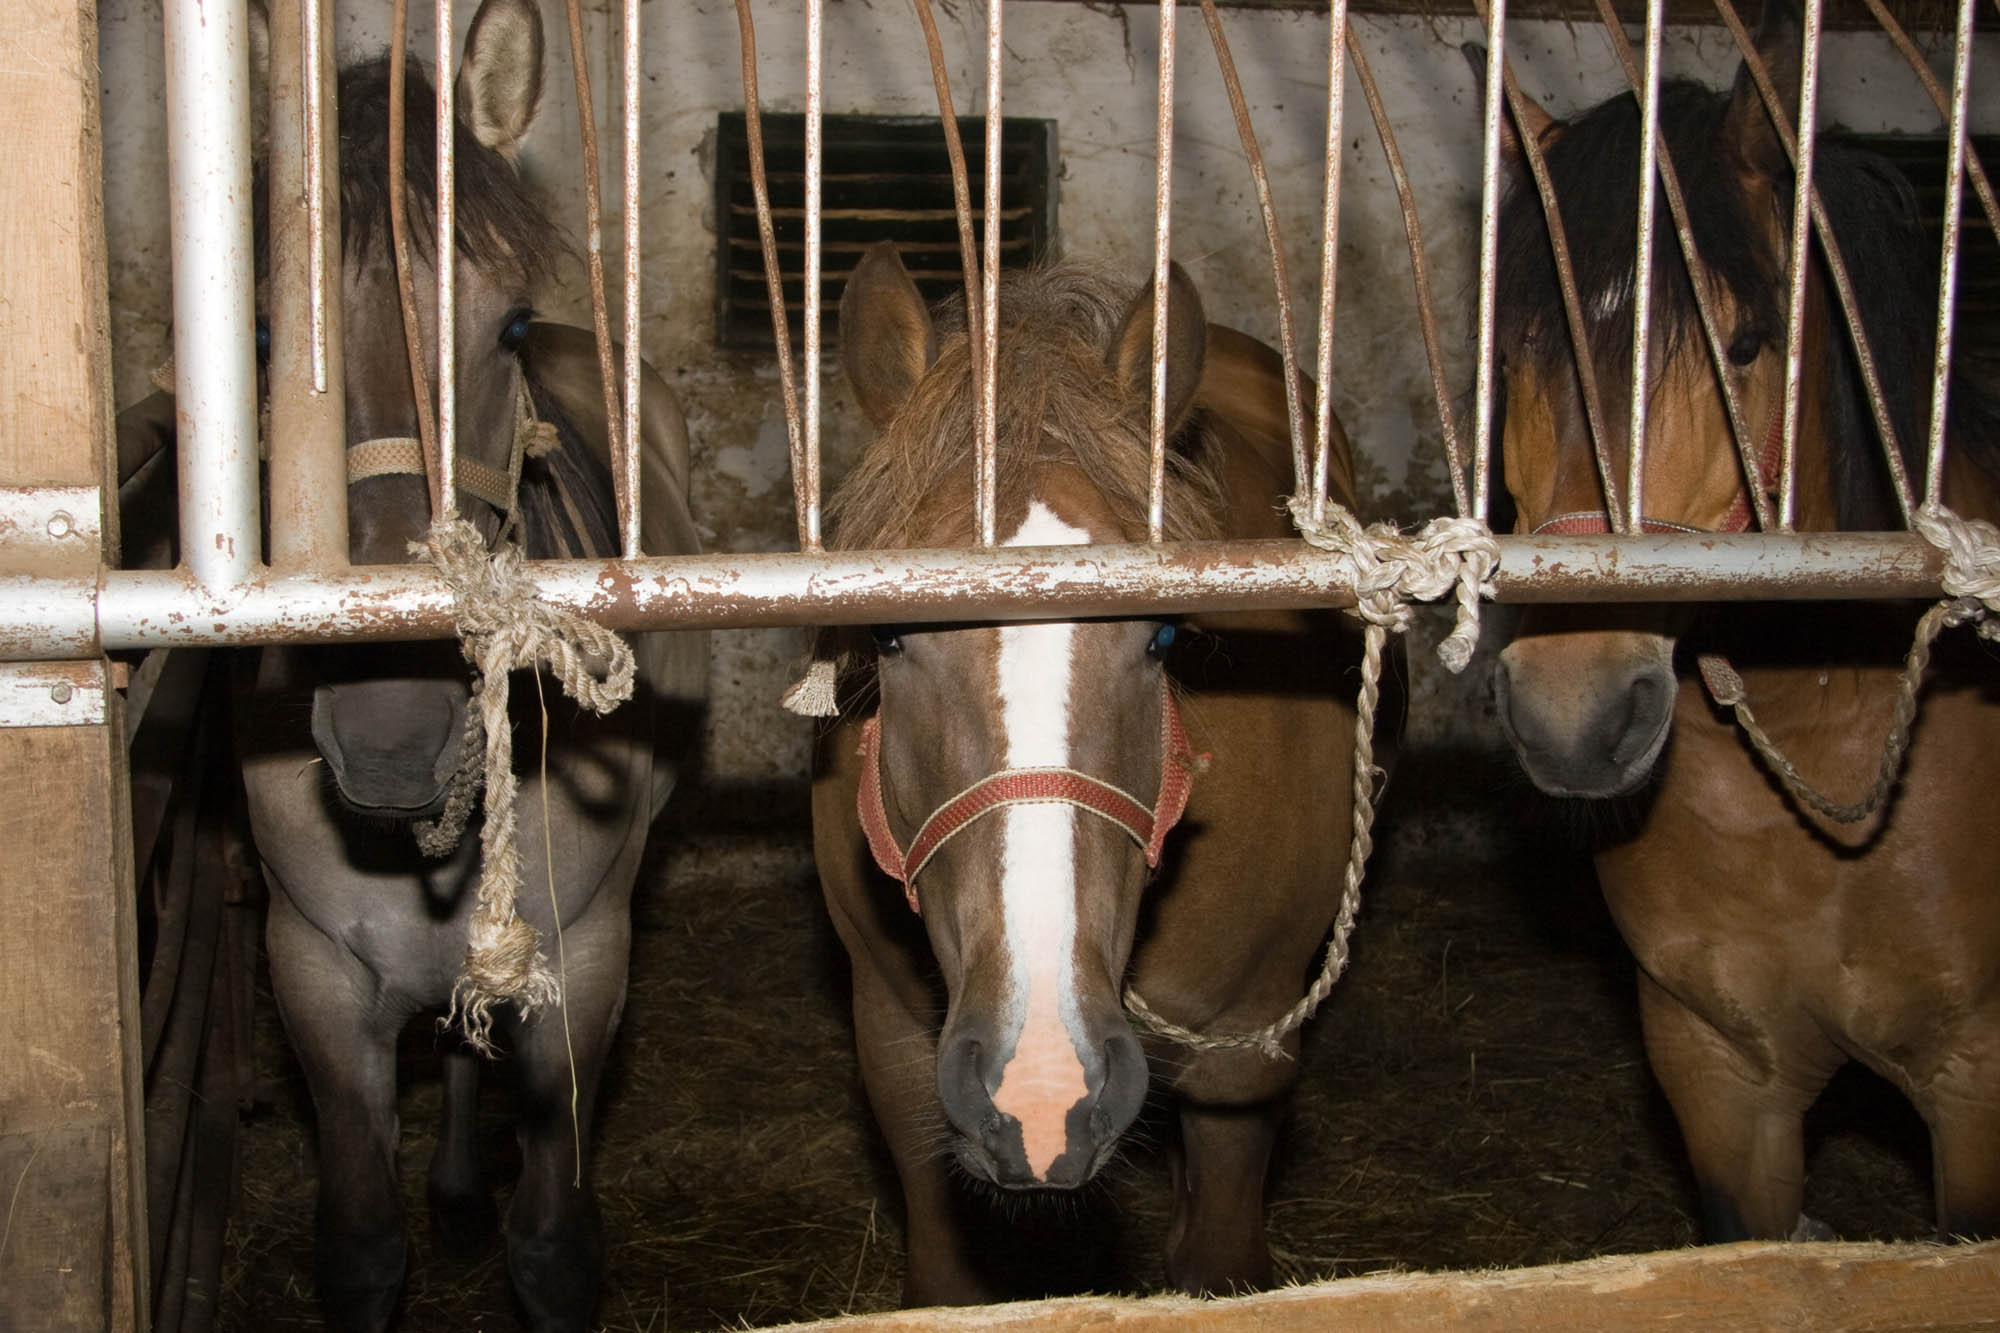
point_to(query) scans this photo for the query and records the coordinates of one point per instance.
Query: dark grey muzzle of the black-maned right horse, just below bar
(1593, 742)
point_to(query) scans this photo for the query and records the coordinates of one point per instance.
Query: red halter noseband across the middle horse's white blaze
(1027, 788)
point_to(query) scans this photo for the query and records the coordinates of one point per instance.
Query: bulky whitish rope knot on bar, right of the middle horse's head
(1393, 571)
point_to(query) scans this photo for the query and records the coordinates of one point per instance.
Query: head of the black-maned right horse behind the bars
(1587, 696)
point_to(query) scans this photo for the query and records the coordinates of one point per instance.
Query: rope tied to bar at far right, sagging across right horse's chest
(1971, 585)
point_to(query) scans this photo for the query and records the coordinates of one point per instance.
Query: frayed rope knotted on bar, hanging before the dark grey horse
(505, 627)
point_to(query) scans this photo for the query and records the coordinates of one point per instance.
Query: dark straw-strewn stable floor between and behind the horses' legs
(1475, 1096)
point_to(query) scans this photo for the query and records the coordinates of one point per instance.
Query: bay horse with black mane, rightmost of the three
(1773, 944)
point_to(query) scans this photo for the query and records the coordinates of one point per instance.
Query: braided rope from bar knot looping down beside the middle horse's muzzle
(1391, 571)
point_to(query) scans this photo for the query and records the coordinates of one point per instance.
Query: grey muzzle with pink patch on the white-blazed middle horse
(1037, 1128)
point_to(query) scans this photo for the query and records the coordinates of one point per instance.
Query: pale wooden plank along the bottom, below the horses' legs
(1753, 1286)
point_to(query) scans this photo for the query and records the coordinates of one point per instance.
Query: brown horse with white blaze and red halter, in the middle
(991, 1032)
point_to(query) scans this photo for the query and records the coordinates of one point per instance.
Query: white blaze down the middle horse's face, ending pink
(1039, 872)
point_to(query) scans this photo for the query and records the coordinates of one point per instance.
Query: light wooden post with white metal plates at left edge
(71, 1090)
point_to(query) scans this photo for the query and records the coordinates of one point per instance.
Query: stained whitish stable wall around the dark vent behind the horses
(1089, 69)
